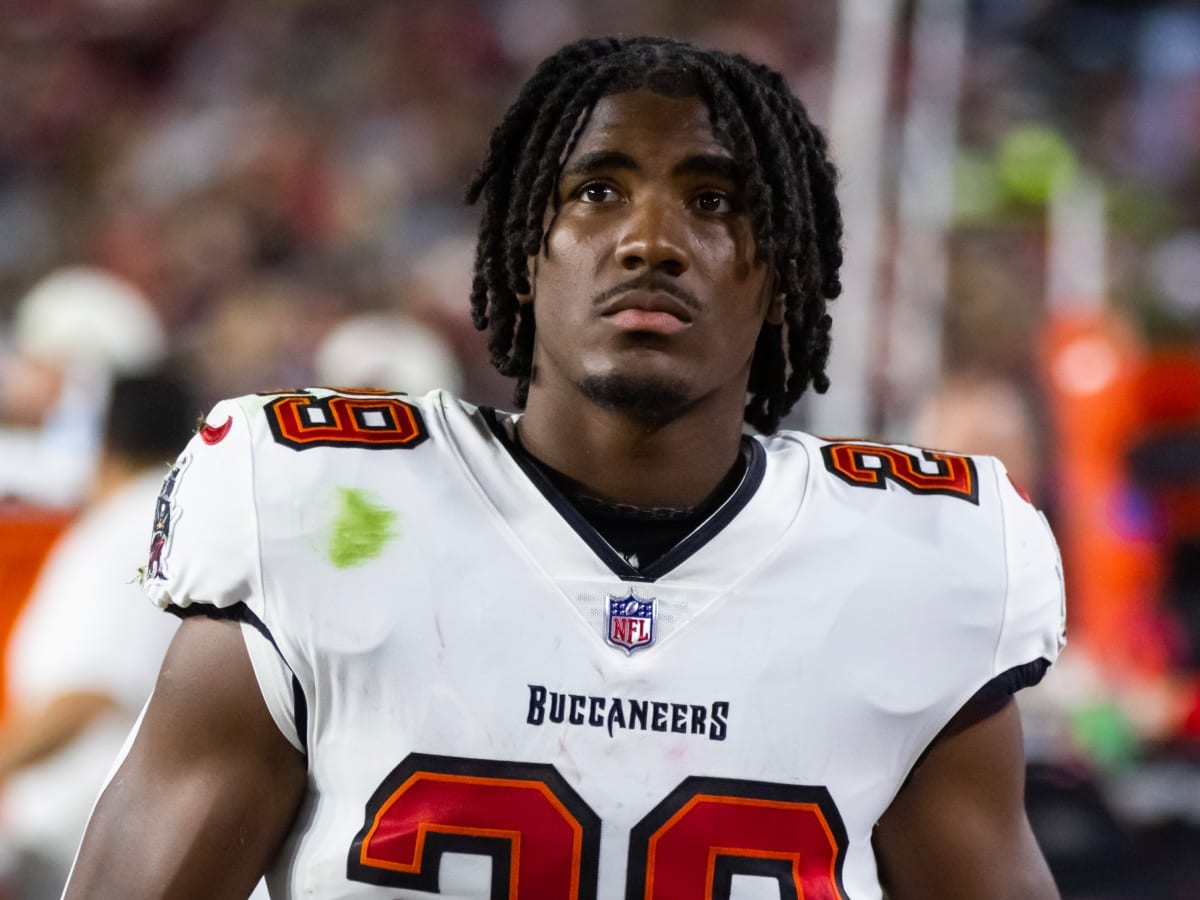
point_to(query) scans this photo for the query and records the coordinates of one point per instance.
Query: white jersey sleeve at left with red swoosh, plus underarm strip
(205, 556)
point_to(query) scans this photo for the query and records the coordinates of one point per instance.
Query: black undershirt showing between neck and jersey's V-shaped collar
(640, 535)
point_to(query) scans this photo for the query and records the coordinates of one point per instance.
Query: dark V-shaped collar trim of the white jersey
(757, 467)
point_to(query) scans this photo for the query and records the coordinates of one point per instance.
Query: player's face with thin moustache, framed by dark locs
(647, 297)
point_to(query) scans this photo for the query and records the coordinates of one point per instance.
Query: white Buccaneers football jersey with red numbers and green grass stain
(495, 704)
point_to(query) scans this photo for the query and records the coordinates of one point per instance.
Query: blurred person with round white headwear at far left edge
(74, 332)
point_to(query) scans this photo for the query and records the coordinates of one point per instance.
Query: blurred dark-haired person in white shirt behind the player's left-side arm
(88, 645)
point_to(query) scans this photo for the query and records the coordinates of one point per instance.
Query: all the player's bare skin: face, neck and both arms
(211, 788)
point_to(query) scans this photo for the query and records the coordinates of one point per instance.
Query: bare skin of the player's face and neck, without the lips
(645, 195)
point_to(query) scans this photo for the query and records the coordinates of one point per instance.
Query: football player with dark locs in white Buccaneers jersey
(611, 646)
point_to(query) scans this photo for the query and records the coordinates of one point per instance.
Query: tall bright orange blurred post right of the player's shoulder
(1107, 529)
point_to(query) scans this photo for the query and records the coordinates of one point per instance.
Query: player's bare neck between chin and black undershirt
(621, 460)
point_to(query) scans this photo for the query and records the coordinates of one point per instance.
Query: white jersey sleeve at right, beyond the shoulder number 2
(1034, 628)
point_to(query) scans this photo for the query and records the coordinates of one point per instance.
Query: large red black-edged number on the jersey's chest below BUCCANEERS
(544, 841)
